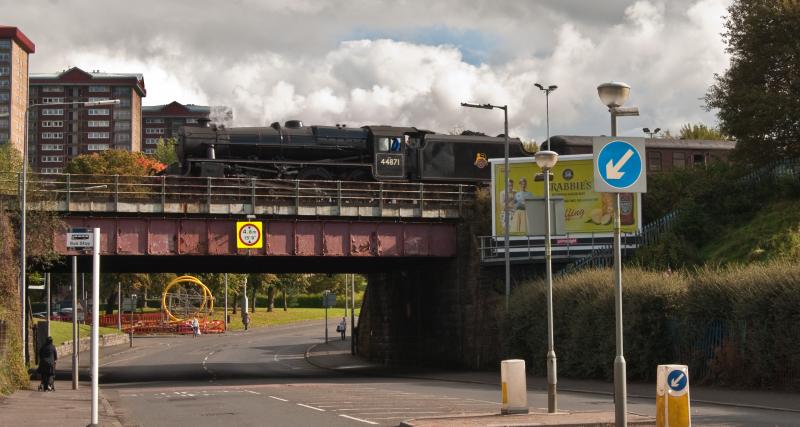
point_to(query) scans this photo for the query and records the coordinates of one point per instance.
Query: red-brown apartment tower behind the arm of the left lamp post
(62, 131)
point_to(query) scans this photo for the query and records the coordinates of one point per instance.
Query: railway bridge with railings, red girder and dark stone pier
(429, 299)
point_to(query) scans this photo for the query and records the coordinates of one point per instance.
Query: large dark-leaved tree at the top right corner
(758, 97)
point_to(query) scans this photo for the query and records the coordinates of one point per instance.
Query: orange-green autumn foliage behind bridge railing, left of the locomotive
(114, 162)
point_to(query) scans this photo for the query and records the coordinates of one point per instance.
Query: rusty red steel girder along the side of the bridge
(283, 238)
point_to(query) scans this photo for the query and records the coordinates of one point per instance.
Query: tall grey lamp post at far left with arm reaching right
(22, 203)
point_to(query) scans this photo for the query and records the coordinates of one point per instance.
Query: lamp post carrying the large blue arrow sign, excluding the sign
(614, 95)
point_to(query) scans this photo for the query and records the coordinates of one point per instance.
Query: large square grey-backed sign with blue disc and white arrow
(619, 165)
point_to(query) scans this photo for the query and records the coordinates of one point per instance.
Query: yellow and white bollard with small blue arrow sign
(672, 396)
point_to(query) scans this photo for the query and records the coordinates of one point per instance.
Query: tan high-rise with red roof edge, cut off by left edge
(14, 50)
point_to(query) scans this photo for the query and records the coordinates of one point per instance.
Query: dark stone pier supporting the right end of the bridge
(440, 314)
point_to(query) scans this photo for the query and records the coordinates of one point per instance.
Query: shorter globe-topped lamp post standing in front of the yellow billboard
(546, 160)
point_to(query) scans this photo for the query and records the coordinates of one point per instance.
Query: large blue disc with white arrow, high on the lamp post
(619, 164)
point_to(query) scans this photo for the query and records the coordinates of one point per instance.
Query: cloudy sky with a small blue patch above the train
(402, 62)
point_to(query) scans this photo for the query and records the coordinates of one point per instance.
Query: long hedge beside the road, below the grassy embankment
(737, 326)
